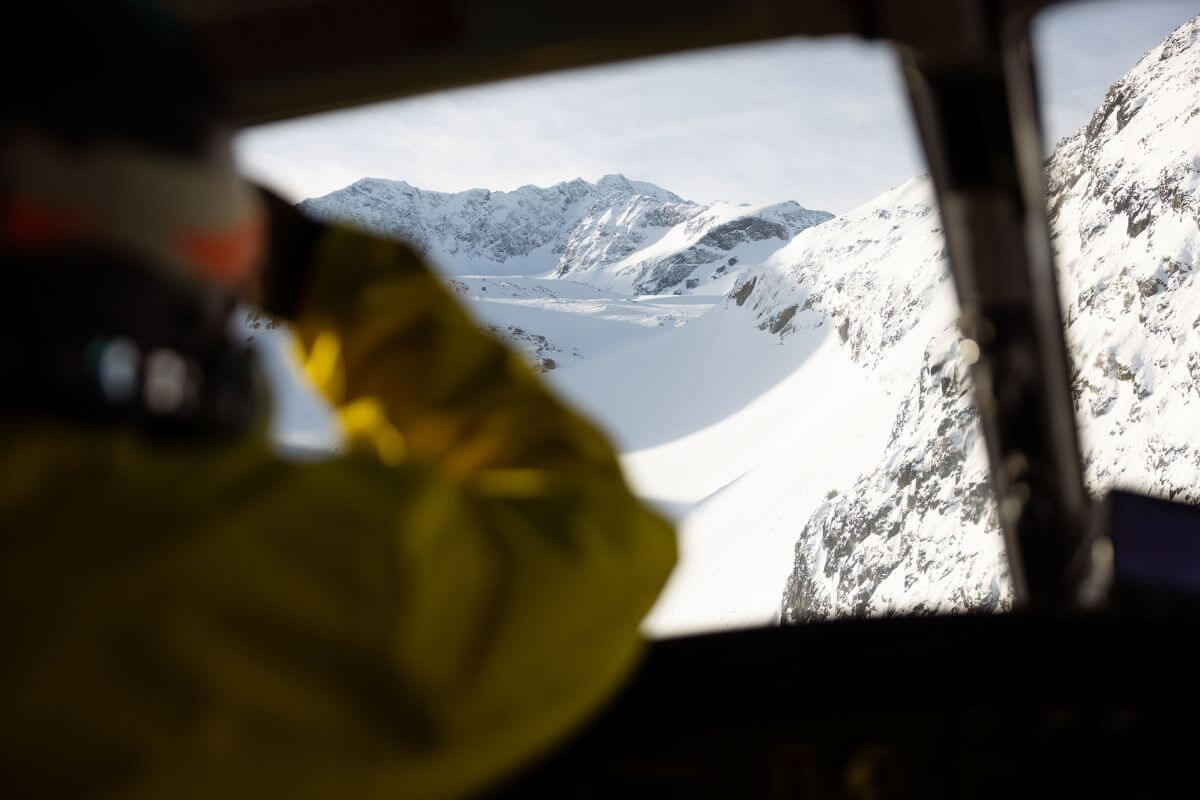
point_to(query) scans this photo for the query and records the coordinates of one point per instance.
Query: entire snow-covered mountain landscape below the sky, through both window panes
(791, 392)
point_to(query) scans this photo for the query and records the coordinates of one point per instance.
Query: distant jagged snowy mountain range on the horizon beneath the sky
(616, 234)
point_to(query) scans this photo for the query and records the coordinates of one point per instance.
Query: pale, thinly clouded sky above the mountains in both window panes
(819, 122)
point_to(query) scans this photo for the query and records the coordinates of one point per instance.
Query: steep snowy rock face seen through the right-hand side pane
(1126, 194)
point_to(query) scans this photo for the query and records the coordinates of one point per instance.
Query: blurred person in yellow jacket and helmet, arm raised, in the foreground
(183, 612)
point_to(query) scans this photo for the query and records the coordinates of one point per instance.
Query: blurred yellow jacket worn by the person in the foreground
(412, 619)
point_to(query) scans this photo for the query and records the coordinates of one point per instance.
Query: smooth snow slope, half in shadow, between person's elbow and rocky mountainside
(725, 428)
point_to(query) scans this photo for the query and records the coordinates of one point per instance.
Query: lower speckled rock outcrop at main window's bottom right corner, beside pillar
(920, 533)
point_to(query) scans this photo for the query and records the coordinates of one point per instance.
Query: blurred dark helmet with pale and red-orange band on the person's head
(125, 233)
